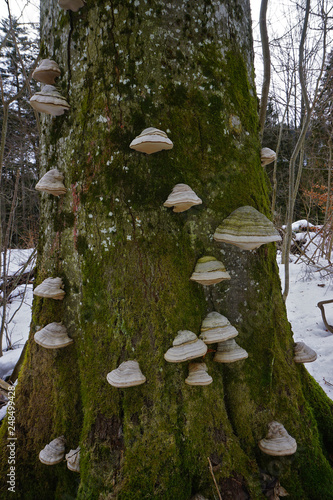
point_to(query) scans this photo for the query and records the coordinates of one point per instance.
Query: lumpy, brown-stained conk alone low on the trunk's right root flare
(278, 442)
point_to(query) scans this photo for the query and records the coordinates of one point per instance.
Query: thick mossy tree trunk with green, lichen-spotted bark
(186, 68)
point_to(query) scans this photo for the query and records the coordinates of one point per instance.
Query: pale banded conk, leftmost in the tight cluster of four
(186, 346)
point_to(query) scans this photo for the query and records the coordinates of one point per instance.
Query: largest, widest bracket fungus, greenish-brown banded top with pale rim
(247, 229)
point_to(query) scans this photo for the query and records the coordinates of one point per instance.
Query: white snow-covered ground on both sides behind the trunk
(308, 286)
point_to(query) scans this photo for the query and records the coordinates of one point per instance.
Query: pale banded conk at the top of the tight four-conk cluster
(216, 328)
